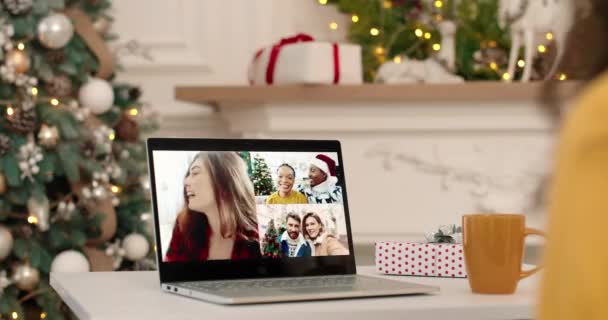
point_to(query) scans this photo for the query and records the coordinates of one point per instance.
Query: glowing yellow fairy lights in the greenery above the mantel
(436, 46)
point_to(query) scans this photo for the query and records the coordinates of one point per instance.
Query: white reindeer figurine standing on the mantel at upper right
(530, 18)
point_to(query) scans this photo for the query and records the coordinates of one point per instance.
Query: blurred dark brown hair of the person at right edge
(586, 52)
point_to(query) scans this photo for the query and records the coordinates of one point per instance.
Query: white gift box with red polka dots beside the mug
(420, 259)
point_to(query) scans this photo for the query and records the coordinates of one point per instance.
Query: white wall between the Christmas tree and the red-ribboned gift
(207, 42)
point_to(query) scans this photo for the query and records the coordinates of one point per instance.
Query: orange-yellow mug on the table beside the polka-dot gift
(493, 251)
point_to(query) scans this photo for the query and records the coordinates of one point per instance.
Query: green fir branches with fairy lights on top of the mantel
(398, 30)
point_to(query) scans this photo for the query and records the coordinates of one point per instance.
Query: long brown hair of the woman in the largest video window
(233, 192)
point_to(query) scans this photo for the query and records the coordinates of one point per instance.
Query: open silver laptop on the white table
(256, 221)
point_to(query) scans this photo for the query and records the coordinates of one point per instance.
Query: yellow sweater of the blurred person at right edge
(575, 281)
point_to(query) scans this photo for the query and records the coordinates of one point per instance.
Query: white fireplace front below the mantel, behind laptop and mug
(413, 166)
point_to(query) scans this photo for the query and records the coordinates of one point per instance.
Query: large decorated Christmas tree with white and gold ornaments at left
(74, 194)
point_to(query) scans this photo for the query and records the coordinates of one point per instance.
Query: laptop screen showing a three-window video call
(249, 205)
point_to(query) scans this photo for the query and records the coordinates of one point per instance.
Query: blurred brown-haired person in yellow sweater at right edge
(575, 281)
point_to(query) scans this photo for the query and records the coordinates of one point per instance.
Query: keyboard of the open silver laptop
(276, 283)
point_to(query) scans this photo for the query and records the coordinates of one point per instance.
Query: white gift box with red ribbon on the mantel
(302, 60)
